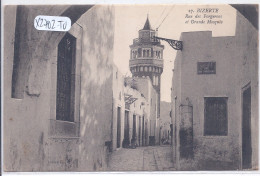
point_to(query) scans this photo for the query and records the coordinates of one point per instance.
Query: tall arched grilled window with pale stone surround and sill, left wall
(64, 126)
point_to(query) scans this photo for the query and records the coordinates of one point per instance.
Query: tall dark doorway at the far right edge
(246, 129)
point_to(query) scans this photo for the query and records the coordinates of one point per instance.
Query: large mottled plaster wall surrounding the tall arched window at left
(34, 140)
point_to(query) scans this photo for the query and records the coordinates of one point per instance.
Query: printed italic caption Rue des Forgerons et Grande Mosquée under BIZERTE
(203, 16)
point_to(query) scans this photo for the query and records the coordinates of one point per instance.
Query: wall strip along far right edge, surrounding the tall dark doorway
(247, 48)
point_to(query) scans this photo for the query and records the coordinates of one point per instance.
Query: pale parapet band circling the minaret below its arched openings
(144, 61)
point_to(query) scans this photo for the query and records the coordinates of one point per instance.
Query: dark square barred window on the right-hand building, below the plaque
(215, 116)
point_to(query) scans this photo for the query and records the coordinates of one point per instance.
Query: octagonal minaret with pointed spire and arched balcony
(146, 57)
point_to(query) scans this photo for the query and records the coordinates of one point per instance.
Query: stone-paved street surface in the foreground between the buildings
(150, 158)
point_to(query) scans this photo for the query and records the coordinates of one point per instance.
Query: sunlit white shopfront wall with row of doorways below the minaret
(139, 108)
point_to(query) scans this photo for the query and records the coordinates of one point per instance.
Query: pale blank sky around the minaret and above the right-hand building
(171, 22)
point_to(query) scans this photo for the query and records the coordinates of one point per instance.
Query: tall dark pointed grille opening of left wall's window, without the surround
(65, 81)
